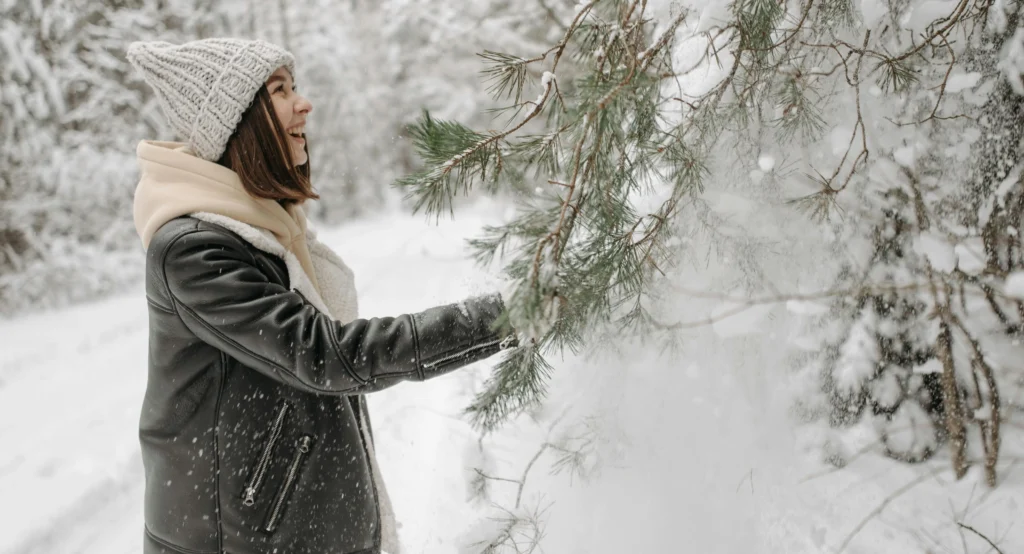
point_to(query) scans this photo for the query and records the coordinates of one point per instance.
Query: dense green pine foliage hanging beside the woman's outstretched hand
(580, 254)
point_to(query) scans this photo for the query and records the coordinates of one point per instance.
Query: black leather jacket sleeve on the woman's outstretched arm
(224, 299)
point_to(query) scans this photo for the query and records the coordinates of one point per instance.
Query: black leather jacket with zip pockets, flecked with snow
(250, 428)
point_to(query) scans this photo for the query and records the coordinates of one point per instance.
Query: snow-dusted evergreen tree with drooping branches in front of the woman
(877, 105)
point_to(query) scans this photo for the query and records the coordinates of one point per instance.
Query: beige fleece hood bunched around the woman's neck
(176, 183)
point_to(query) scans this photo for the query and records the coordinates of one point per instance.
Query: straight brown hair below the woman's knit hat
(260, 153)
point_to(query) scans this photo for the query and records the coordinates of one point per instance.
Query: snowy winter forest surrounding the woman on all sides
(764, 258)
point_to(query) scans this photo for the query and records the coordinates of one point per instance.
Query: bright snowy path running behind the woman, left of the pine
(72, 383)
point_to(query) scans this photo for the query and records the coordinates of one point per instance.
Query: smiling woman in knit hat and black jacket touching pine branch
(254, 431)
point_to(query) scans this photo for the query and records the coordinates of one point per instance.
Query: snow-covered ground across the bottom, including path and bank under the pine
(701, 466)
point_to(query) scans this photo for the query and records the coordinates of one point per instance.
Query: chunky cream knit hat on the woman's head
(204, 87)
